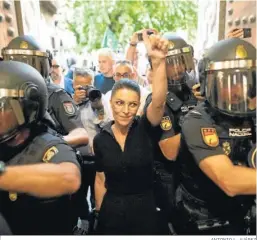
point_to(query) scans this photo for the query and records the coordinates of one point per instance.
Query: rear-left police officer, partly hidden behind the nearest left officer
(60, 104)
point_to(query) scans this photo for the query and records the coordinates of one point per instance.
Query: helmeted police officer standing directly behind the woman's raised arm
(179, 62)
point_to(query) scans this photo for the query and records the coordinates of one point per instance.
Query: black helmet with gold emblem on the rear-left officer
(26, 49)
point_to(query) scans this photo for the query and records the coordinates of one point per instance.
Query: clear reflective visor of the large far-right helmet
(232, 91)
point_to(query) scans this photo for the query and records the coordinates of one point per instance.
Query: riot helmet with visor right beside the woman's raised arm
(179, 62)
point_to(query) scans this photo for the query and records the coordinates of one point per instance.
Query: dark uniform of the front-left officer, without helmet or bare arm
(28, 215)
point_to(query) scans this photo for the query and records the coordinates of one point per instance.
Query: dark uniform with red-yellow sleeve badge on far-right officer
(204, 135)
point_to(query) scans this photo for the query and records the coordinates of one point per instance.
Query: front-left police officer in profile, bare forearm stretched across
(39, 172)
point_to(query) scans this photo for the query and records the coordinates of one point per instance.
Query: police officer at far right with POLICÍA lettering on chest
(217, 191)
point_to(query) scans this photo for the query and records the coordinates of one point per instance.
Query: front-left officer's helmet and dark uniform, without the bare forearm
(23, 101)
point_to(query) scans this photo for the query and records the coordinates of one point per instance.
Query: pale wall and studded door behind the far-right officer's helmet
(217, 17)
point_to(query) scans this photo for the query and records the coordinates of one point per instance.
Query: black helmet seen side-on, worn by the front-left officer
(23, 98)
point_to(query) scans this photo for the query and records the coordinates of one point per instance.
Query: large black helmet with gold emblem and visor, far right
(230, 84)
